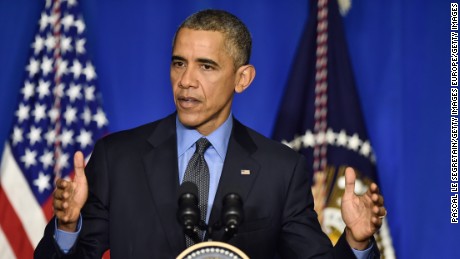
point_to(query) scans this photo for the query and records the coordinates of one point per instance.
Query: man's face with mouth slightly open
(203, 79)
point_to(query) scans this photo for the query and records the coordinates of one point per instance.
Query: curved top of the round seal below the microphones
(212, 250)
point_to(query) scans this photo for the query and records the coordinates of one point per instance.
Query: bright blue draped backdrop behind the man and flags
(400, 51)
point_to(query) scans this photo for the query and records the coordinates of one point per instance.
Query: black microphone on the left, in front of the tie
(188, 213)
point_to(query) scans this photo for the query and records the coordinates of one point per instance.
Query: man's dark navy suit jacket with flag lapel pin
(133, 184)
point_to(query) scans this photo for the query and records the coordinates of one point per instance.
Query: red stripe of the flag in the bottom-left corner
(13, 229)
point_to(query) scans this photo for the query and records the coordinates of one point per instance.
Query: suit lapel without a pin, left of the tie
(161, 167)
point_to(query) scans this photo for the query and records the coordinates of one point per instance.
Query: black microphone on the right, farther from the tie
(232, 214)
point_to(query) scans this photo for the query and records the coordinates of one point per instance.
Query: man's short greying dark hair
(237, 38)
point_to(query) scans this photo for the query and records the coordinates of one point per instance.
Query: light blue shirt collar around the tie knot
(186, 137)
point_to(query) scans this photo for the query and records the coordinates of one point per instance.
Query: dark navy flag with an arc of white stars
(320, 116)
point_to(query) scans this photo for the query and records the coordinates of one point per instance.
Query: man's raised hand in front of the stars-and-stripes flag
(70, 196)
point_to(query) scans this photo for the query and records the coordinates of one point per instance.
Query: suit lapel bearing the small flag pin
(233, 178)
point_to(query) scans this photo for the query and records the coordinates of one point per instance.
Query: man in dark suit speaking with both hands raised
(125, 200)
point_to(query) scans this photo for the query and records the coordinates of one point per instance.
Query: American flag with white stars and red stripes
(59, 112)
